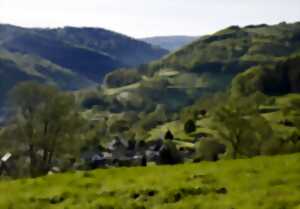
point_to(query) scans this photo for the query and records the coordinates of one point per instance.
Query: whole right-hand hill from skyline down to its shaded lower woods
(208, 65)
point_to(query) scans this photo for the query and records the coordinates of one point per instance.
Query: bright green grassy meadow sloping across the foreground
(262, 182)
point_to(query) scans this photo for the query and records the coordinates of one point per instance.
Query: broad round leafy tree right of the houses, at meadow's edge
(240, 126)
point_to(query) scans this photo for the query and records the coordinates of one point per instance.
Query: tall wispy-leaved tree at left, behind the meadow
(45, 124)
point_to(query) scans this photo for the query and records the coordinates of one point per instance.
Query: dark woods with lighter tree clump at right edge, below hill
(276, 79)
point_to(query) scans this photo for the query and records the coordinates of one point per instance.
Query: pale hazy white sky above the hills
(141, 18)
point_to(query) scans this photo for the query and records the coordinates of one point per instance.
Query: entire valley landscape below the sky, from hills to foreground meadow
(96, 119)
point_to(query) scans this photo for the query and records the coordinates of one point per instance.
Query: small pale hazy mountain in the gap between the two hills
(170, 43)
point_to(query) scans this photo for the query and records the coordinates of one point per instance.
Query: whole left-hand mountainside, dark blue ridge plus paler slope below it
(70, 58)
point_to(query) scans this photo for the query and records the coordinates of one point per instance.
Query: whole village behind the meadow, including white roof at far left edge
(118, 153)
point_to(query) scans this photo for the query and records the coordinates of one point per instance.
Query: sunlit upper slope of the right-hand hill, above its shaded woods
(234, 49)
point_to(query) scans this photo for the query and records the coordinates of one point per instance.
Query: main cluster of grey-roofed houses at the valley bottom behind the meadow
(120, 152)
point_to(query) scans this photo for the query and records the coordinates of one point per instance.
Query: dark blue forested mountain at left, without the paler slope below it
(91, 52)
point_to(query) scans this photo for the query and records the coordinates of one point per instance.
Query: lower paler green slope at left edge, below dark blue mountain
(16, 67)
